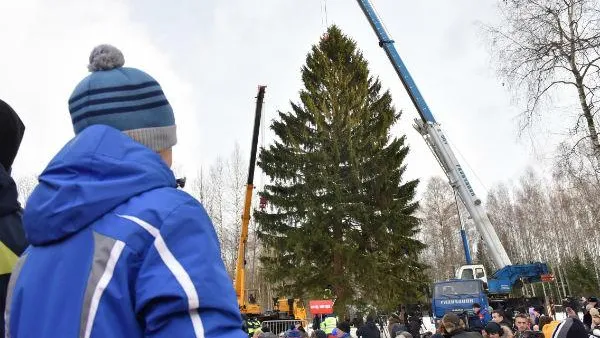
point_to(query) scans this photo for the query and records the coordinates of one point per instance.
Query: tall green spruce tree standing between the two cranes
(340, 215)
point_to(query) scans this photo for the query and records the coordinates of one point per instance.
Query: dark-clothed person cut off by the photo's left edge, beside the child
(12, 236)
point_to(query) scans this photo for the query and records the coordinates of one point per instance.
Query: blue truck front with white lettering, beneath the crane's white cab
(457, 296)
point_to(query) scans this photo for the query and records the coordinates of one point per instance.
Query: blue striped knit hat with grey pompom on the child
(124, 98)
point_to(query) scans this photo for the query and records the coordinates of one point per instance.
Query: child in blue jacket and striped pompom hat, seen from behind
(116, 249)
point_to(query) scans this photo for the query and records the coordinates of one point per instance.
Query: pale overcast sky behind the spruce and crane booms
(210, 56)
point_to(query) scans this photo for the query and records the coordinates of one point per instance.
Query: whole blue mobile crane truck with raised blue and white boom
(471, 280)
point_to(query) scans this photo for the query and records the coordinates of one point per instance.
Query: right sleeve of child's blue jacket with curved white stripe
(182, 287)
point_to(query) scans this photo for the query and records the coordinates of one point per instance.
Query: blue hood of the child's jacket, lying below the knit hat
(96, 171)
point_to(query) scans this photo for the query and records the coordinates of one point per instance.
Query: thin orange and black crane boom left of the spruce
(240, 273)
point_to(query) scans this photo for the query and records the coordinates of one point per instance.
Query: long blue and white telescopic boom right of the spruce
(437, 142)
